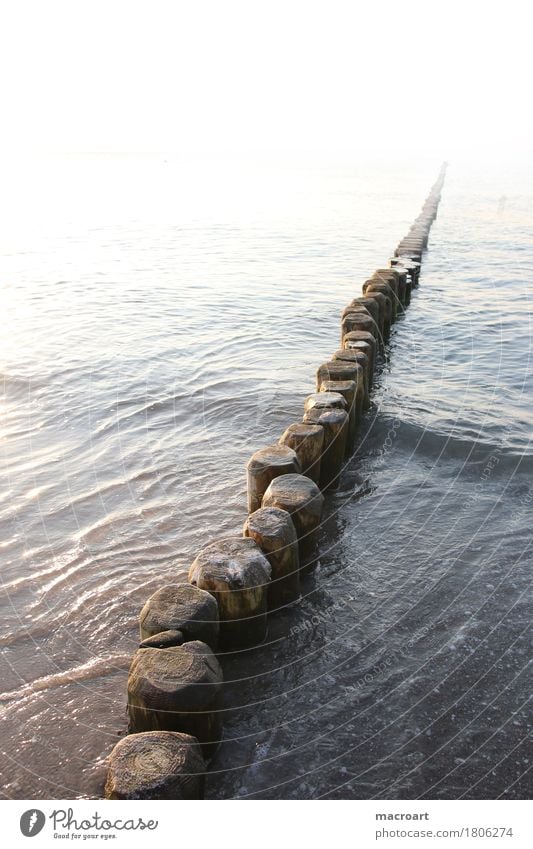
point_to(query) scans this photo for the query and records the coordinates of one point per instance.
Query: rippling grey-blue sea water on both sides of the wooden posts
(161, 322)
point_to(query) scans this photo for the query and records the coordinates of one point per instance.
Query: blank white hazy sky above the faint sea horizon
(341, 78)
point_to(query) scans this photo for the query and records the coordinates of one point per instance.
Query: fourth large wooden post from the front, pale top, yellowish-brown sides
(237, 573)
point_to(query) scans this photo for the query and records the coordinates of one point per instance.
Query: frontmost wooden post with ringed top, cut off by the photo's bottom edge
(156, 765)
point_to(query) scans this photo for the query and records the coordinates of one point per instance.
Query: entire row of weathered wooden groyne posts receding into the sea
(175, 680)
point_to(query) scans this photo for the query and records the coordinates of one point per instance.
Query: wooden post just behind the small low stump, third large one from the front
(181, 608)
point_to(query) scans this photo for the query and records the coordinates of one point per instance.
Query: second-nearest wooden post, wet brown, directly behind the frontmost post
(176, 689)
